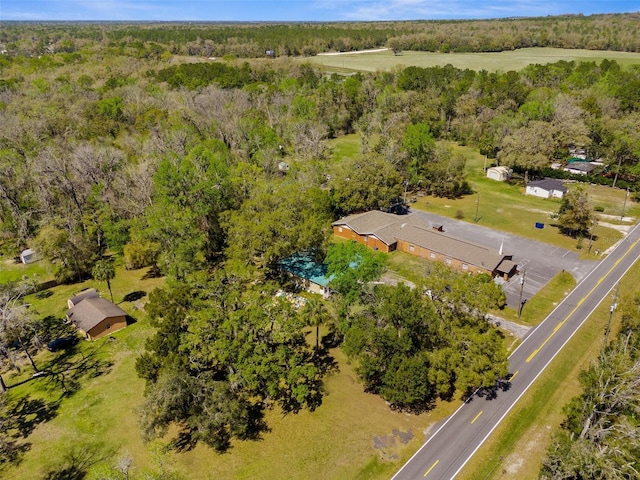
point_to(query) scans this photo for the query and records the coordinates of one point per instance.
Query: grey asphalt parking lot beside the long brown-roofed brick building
(537, 262)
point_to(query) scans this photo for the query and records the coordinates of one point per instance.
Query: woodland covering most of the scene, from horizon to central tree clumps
(113, 144)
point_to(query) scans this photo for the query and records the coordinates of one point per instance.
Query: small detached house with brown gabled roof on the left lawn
(96, 317)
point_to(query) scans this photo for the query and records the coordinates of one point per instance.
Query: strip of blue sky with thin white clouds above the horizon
(301, 10)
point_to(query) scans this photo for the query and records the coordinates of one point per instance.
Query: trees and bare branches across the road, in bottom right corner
(599, 437)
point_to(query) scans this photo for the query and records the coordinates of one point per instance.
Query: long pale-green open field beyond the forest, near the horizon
(491, 62)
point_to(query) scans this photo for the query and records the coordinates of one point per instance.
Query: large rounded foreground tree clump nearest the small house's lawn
(223, 354)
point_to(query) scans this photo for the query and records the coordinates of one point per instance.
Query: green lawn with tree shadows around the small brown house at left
(95, 421)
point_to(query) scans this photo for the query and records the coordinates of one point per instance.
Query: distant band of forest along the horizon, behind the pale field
(151, 40)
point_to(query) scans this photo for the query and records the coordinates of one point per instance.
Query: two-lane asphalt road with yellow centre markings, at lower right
(451, 446)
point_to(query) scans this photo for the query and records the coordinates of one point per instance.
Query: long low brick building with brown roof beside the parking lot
(388, 232)
